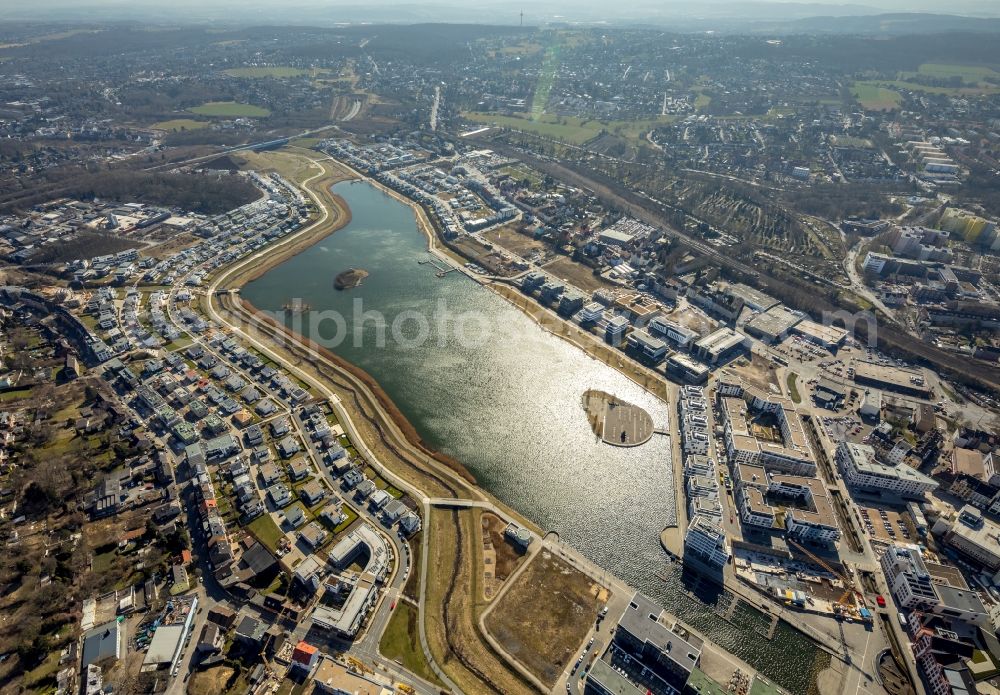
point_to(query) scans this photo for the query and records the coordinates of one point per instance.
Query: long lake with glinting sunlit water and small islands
(480, 381)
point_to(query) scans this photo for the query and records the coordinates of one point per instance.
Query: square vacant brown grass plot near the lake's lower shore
(545, 615)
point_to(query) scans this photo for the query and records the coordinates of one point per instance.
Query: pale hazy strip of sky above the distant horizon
(486, 11)
